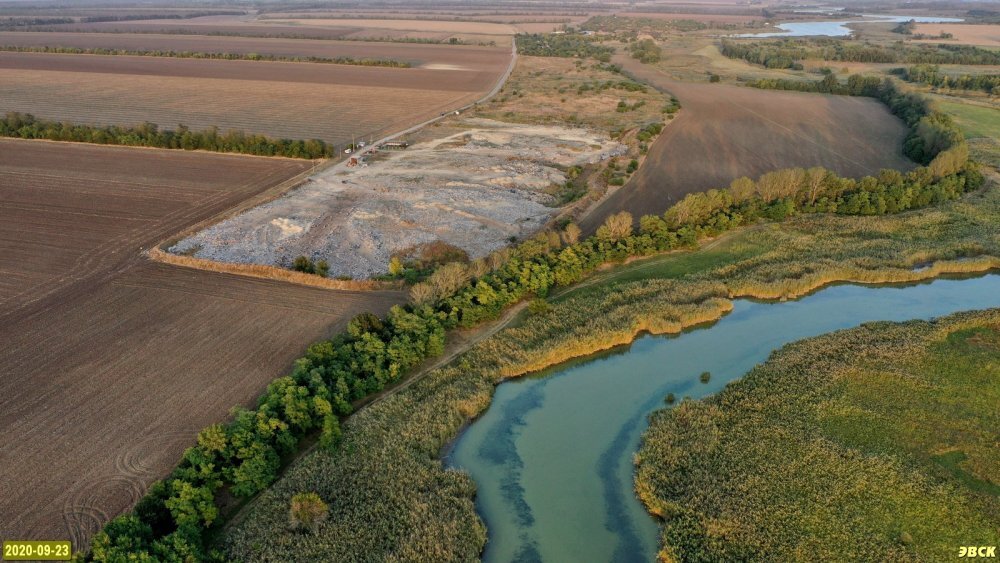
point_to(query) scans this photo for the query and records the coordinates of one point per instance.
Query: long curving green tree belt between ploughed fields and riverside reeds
(245, 455)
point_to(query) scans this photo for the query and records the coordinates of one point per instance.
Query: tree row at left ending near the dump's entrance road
(27, 126)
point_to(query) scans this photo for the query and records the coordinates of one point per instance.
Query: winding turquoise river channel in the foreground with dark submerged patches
(552, 456)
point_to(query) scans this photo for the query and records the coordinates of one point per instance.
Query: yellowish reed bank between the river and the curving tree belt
(390, 497)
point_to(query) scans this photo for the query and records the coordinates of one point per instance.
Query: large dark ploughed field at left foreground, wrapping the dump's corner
(111, 363)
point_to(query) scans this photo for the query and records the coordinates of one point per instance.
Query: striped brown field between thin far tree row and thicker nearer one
(290, 100)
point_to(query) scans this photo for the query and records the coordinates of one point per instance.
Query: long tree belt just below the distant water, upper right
(787, 52)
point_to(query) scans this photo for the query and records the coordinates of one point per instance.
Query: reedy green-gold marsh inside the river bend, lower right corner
(876, 440)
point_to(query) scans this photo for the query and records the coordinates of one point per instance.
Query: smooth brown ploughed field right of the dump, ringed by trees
(723, 132)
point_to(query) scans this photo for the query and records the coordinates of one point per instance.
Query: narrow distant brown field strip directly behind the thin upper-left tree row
(470, 57)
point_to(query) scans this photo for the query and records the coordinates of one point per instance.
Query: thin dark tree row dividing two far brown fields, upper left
(206, 55)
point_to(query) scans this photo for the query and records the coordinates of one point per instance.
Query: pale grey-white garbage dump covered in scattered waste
(473, 189)
